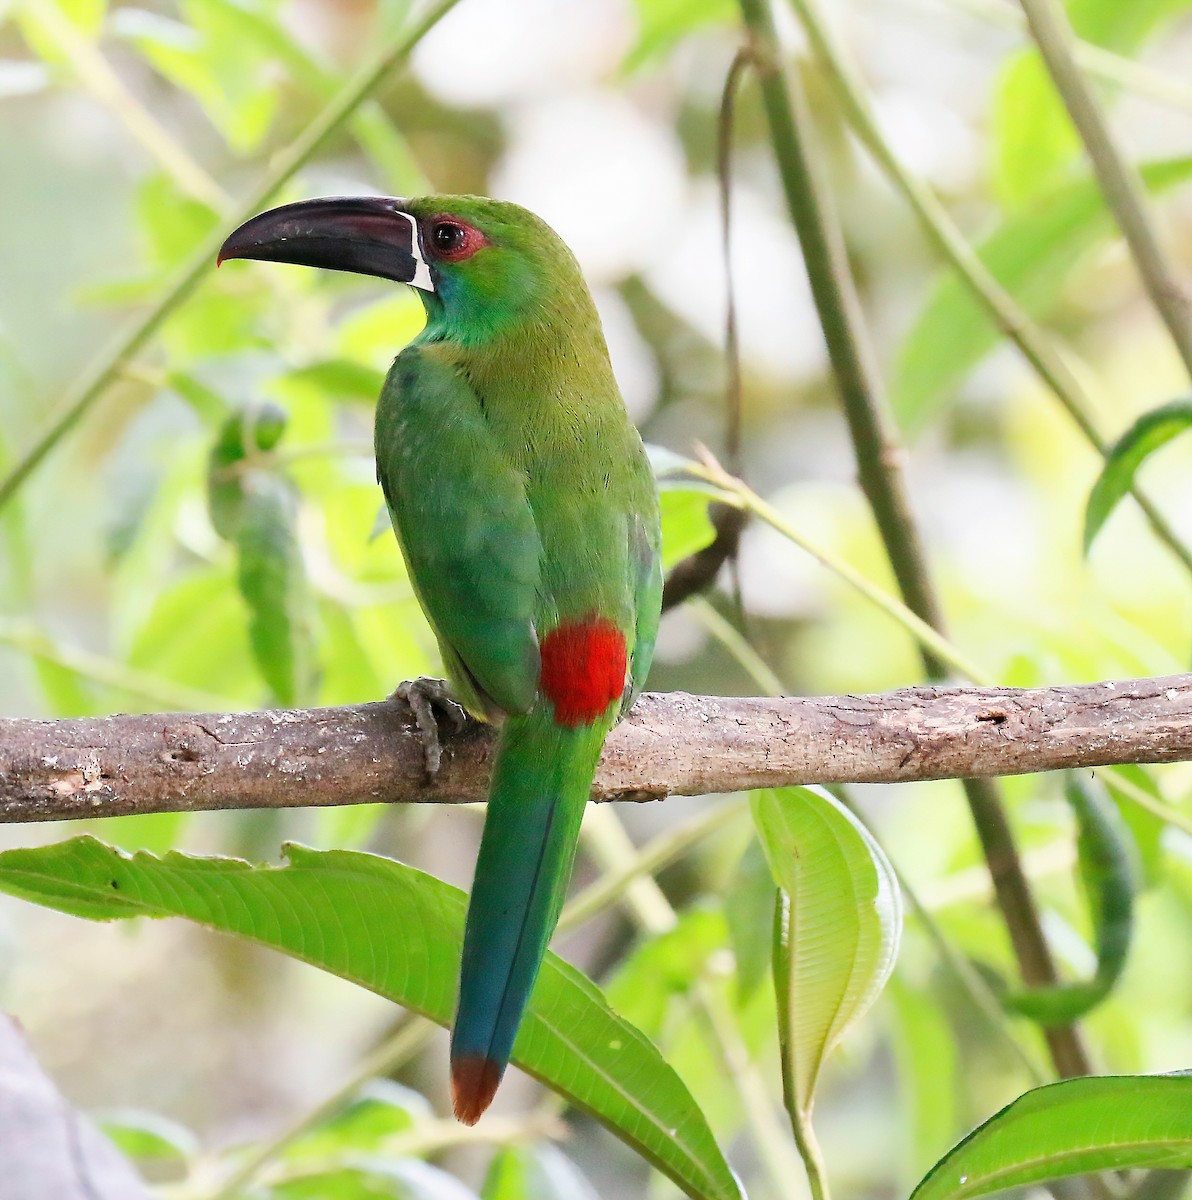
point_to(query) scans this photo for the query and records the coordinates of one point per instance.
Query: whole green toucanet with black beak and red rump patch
(528, 515)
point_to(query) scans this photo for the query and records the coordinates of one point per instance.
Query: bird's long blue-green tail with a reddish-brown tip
(541, 785)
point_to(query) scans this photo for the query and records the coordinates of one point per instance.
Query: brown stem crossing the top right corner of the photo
(1117, 176)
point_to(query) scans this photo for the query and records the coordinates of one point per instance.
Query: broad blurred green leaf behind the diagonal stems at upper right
(1032, 255)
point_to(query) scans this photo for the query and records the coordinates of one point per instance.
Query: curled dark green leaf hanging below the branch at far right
(1110, 884)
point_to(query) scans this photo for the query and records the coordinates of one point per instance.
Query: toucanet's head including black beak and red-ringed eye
(480, 265)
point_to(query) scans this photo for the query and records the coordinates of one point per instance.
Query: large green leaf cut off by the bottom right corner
(1097, 1124)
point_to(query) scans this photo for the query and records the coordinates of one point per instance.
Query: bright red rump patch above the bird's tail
(584, 669)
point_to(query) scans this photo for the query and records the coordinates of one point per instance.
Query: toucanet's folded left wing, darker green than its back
(460, 513)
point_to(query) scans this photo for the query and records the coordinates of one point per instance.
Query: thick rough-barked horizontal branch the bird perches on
(670, 745)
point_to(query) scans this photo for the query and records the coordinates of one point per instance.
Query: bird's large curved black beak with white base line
(366, 235)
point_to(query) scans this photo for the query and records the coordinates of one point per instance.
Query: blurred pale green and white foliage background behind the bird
(205, 538)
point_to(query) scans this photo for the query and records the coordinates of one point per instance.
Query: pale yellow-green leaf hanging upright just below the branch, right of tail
(838, 934)
